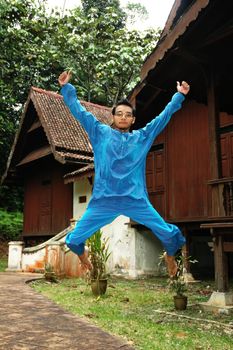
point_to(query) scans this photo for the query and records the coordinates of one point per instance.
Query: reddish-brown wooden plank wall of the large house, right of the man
(185, 163)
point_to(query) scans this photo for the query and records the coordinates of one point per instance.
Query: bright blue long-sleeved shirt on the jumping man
(119, 157)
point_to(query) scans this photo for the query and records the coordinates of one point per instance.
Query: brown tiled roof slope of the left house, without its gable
(62, 129)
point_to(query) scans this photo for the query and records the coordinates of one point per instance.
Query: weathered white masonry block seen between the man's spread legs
(134, 252)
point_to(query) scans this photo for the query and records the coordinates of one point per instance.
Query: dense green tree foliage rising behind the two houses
(35, 48)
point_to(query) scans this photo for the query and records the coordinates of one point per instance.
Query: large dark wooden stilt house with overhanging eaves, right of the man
(190, 166)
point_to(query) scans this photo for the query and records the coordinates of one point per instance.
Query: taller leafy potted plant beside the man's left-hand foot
(99, 255)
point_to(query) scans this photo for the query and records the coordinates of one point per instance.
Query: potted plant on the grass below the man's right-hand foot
(179, 284)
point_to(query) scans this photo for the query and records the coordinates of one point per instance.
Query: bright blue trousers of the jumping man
(103, 211)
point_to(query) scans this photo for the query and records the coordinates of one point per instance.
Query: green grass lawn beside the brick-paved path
(129, 310)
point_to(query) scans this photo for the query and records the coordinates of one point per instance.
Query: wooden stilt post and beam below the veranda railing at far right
(221, 231)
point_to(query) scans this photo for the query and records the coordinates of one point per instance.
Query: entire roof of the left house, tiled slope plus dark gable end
(47, 127)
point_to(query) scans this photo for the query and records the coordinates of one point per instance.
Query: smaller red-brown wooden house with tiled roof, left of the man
(49, 143)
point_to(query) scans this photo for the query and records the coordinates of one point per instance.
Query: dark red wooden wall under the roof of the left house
(48, 202)
